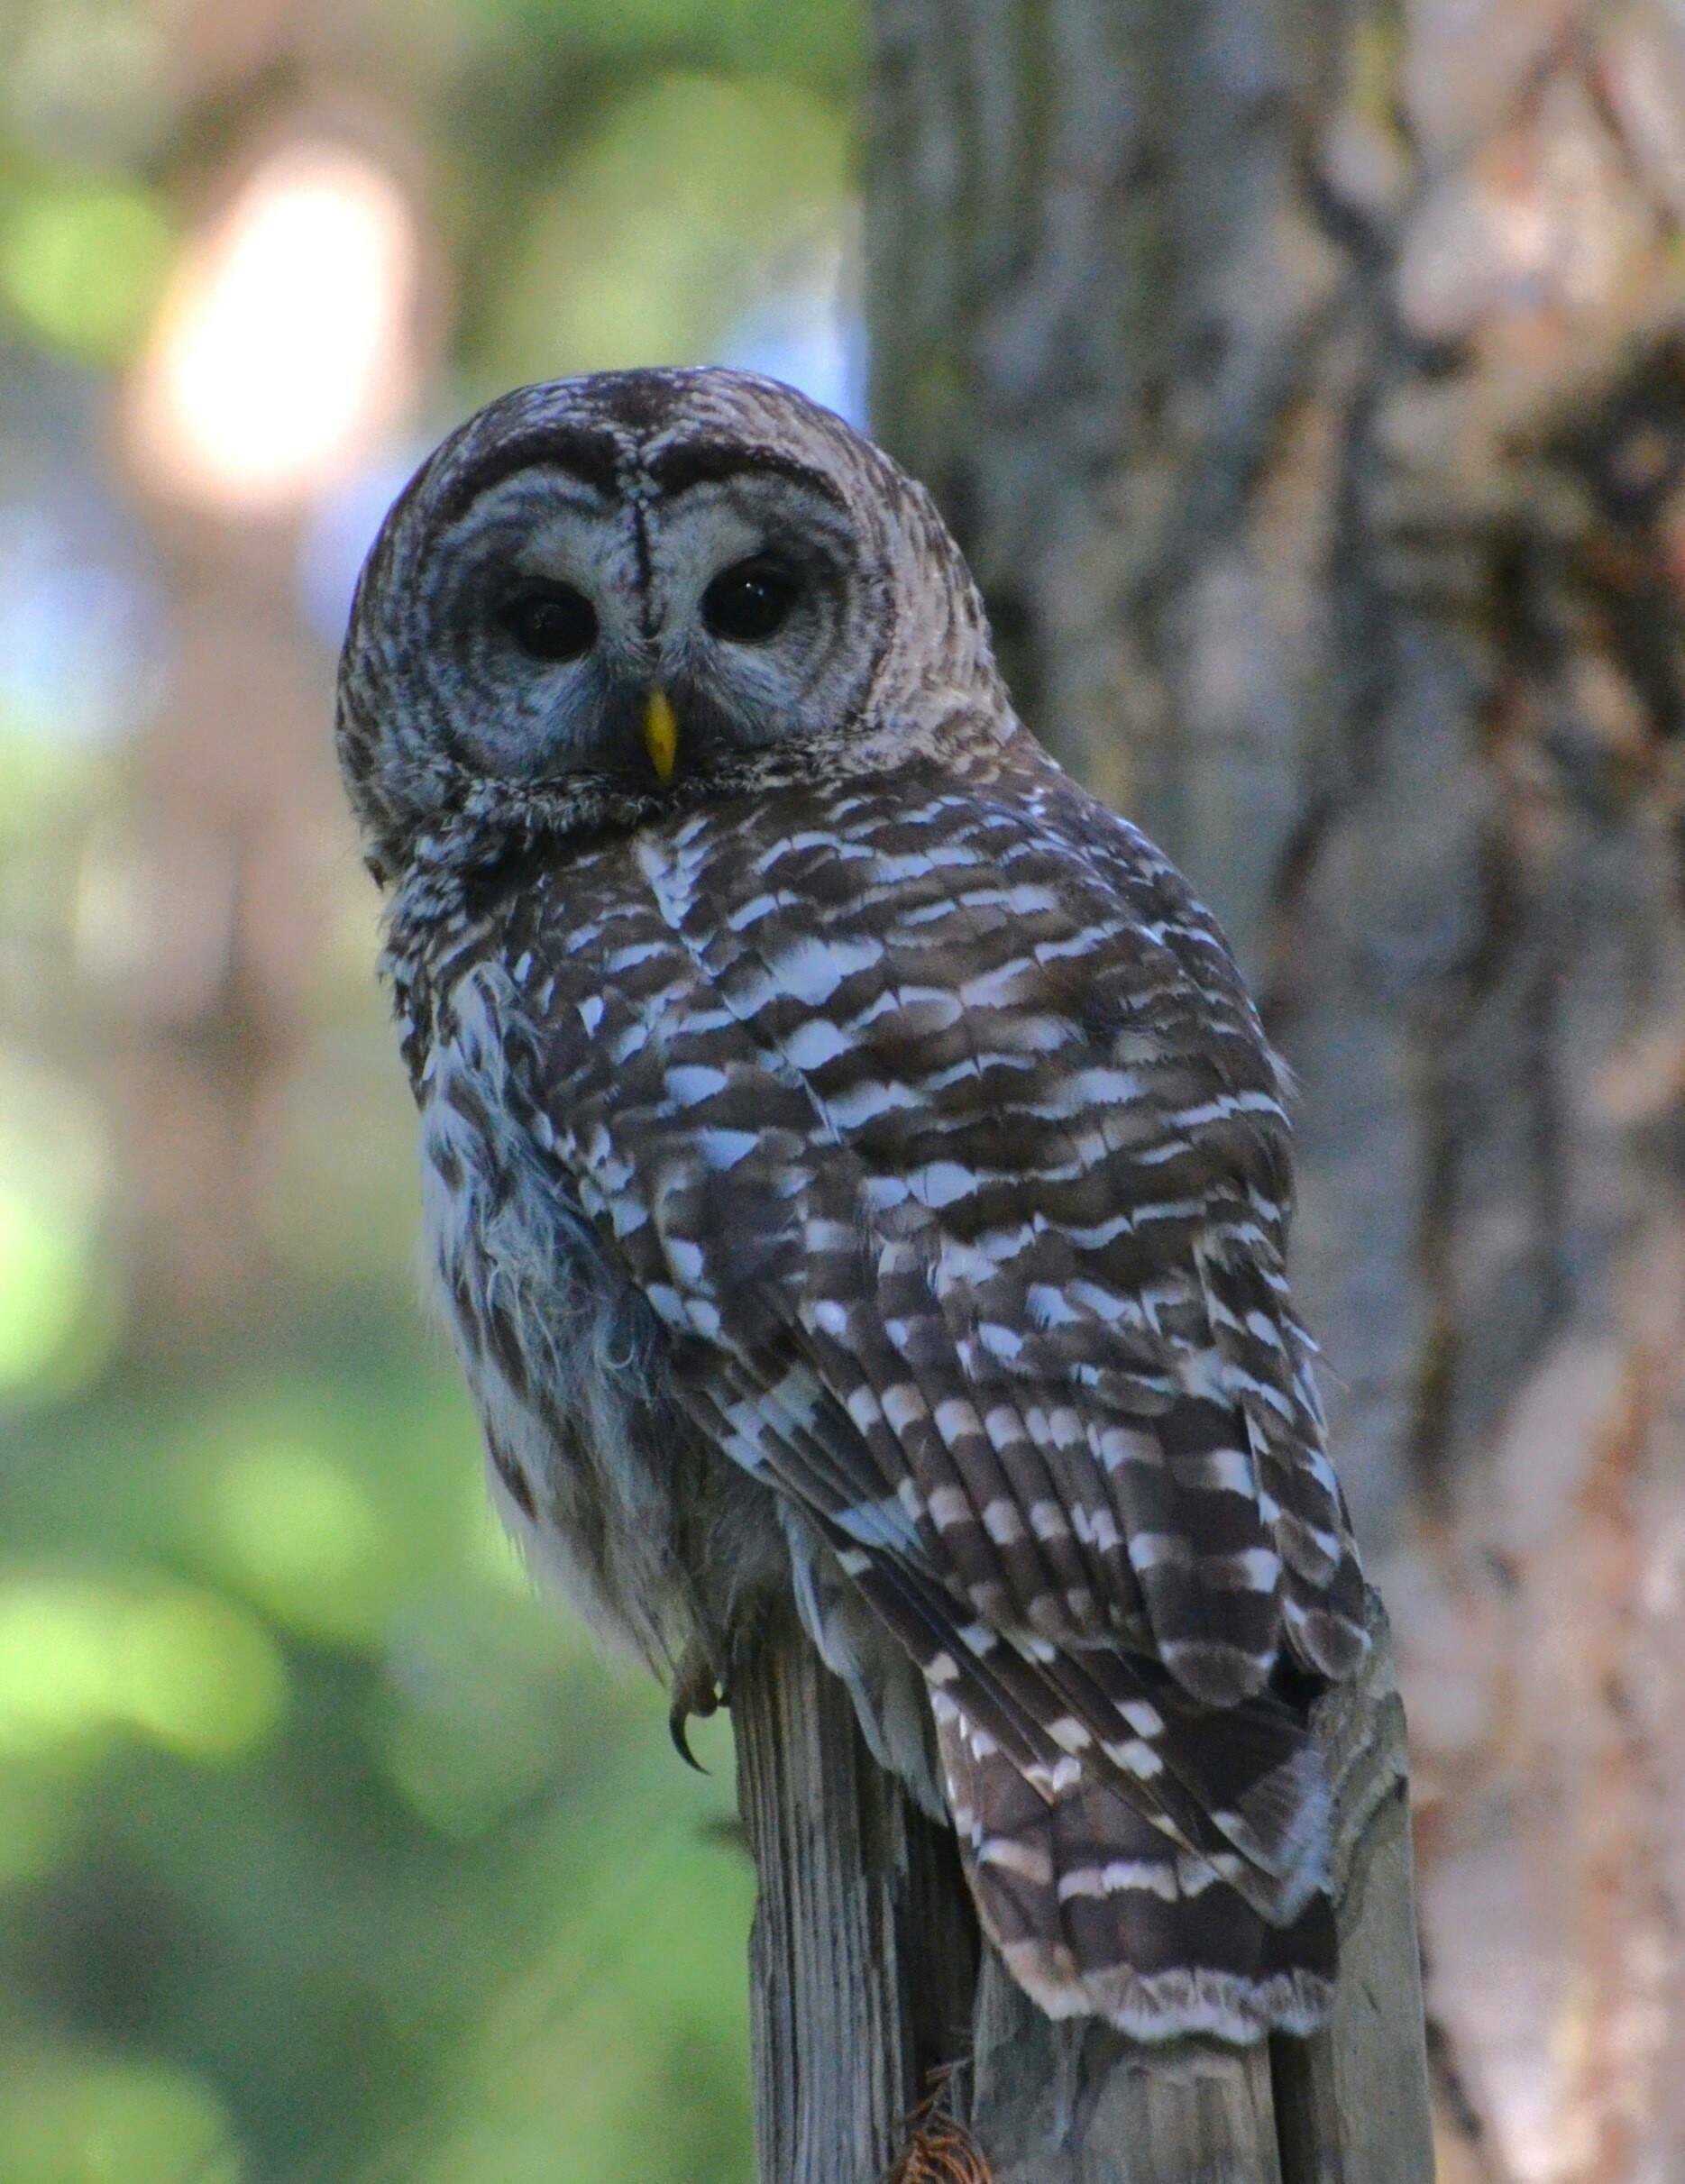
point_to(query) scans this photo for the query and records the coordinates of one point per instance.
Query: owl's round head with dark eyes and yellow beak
(639, 589)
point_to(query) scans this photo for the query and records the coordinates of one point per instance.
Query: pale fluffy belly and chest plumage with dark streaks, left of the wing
(591, 1464)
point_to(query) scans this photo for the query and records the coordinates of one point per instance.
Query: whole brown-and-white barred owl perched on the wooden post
(853, 1170)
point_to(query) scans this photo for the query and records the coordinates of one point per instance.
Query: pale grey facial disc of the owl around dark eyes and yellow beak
(650, 630)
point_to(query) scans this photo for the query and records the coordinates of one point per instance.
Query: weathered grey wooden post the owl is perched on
(869, 1984)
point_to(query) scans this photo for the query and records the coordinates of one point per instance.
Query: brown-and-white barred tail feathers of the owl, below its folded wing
(1135, 1855)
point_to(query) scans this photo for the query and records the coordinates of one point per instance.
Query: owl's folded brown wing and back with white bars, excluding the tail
(1020, 1226)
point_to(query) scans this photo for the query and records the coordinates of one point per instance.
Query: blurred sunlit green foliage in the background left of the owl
(327, 1849)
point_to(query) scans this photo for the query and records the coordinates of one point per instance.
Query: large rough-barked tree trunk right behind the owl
(1308, 390)
